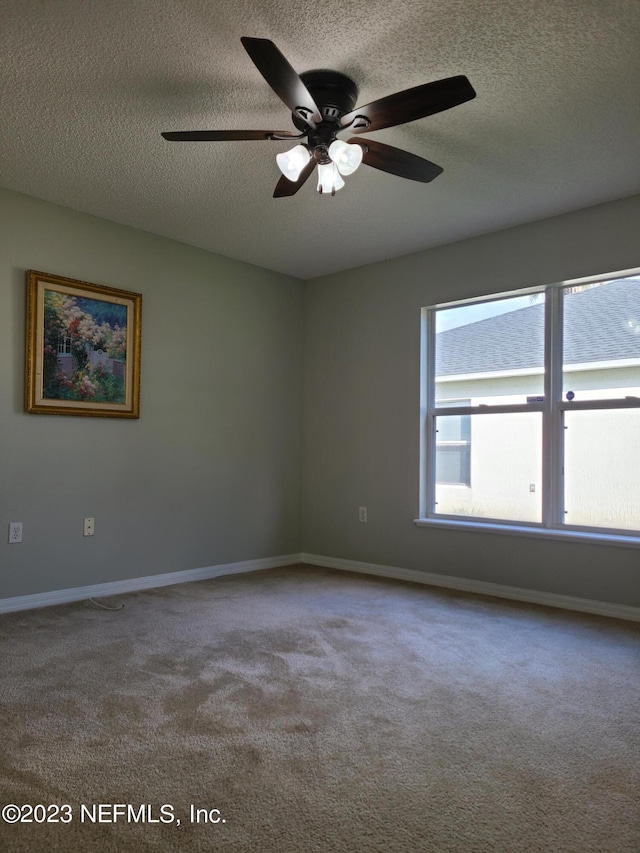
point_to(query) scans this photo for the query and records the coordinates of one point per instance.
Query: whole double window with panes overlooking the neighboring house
(548, 382)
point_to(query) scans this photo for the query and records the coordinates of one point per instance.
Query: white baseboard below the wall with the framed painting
(100, 590)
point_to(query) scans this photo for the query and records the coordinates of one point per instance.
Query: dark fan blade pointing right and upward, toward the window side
(411, 104)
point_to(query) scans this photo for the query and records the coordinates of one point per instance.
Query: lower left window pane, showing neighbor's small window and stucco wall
(505, 469)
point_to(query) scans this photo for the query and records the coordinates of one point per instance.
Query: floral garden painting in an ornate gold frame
(83, 348)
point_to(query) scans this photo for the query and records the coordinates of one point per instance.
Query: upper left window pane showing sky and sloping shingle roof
(490, 352)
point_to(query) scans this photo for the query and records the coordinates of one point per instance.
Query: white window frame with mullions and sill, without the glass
(553, 409)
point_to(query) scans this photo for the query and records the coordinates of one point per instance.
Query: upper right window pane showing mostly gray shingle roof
(601, 349)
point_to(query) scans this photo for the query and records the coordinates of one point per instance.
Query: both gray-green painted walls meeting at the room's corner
(215, 469)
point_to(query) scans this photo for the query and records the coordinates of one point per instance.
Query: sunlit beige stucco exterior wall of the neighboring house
(602, 488)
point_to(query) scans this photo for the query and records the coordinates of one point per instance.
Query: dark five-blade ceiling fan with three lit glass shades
(322, 104)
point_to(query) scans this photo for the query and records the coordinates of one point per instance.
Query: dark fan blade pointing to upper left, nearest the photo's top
(282, 78)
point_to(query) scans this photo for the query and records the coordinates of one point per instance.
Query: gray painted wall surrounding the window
(362, 376)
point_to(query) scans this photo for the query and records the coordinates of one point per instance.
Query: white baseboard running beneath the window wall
(566, 602)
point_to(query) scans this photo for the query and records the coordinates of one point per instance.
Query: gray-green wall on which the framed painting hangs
(210, 473)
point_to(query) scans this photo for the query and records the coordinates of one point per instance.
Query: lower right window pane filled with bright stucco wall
(602, 468)
